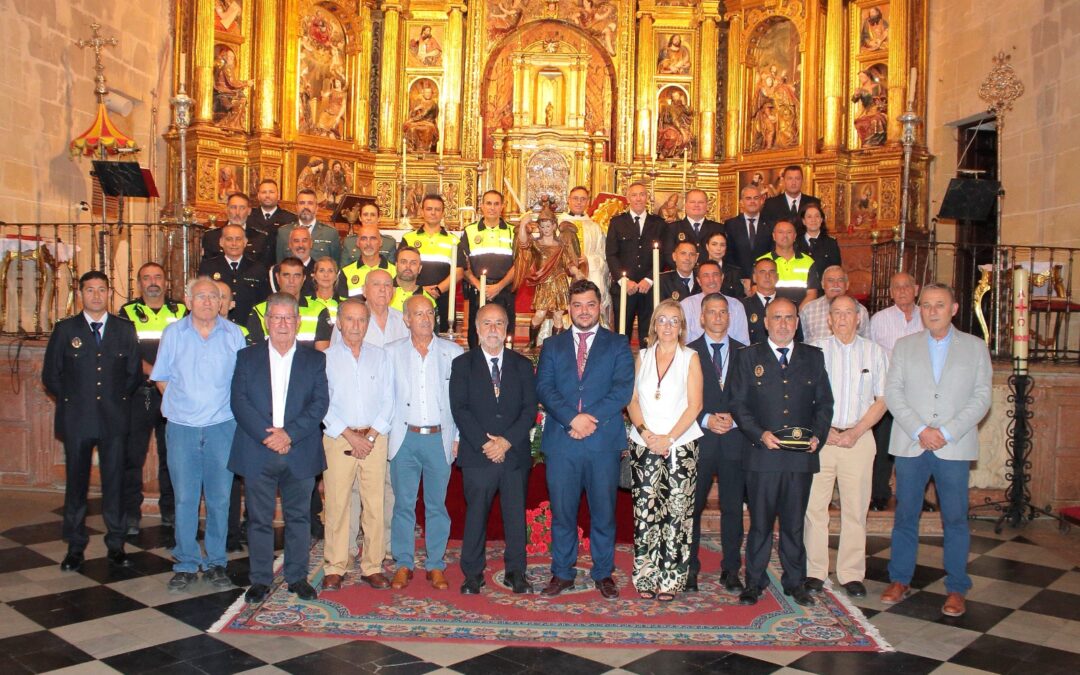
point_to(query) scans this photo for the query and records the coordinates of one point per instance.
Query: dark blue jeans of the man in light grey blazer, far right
(951, 477)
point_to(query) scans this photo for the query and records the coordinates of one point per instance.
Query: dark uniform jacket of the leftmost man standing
(92, 385)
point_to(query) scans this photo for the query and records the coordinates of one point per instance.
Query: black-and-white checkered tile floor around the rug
(1023, 617)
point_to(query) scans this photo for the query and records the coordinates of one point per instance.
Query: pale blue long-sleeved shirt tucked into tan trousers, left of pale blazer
(360, 393)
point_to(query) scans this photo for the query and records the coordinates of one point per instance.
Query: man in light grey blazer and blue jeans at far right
(938, 390)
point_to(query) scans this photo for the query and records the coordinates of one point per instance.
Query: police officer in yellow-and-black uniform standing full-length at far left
(151, 314)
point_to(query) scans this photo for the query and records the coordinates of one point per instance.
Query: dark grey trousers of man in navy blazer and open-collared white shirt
(262, 492)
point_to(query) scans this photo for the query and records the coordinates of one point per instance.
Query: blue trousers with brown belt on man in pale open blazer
(421, 456)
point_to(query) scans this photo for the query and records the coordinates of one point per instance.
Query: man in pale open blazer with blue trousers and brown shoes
(423, 442)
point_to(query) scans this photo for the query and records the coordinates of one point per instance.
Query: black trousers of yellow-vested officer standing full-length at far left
(146, 420)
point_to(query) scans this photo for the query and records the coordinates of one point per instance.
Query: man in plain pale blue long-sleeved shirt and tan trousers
(355, 440)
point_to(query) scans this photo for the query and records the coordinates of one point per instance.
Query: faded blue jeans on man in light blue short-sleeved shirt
(198, 464)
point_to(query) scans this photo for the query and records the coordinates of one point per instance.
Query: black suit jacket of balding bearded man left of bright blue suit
(478, 413)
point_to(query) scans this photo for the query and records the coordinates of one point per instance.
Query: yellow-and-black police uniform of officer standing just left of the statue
(489, 250)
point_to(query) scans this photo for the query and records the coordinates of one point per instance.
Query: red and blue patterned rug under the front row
(710, 619)
